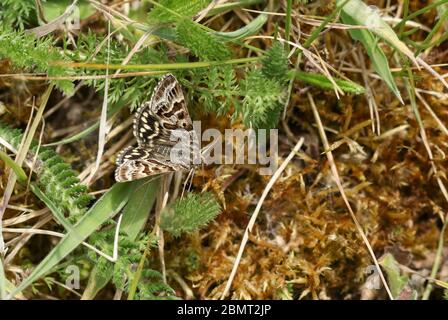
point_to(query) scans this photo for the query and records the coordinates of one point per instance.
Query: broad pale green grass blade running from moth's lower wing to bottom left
(107, 206)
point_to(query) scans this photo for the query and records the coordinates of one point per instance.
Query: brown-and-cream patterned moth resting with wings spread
(160, 127)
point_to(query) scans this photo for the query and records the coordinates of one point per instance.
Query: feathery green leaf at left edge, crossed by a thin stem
(54, 176)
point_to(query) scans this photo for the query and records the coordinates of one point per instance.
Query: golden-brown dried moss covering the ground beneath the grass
(305, 244)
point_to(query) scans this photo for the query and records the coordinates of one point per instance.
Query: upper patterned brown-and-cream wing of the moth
(166, 111)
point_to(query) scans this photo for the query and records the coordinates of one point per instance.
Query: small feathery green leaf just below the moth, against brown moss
(189, 214)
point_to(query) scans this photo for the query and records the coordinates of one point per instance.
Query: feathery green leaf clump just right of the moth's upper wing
(257, 98)
